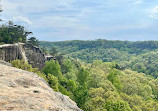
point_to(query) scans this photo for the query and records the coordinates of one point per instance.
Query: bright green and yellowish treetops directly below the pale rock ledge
(99, 86)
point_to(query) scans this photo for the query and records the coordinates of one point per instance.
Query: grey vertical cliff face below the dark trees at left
(28, 52)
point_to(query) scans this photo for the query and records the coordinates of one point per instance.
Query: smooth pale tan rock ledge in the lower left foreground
(26, 91)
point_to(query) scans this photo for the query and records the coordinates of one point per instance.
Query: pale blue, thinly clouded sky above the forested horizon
(59, 20)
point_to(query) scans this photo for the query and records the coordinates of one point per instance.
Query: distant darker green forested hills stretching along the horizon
(139, 56)
